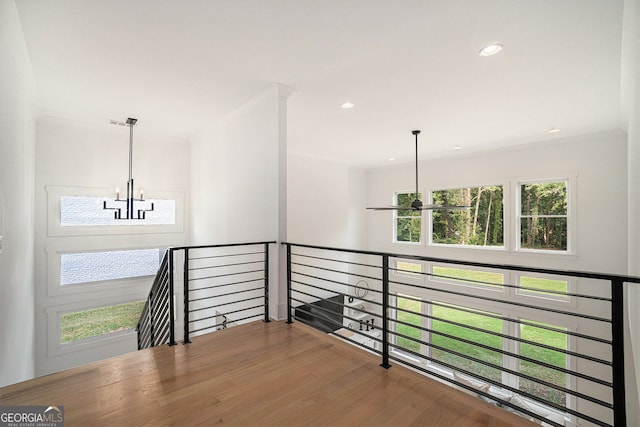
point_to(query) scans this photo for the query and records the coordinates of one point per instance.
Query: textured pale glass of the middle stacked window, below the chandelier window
(98, 266)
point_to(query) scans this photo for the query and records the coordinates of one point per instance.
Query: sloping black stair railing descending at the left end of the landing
(156, 324)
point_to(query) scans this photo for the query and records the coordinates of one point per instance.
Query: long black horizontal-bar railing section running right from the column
(544, 343)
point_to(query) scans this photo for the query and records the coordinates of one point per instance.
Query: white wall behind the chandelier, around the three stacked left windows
(95, 156)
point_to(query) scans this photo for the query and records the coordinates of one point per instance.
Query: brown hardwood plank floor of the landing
(260, 374)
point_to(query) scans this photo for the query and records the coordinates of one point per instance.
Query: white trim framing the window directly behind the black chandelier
(54, 229)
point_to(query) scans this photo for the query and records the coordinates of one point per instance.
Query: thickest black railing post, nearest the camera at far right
(617, 349)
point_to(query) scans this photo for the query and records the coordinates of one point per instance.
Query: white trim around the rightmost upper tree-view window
(571, 251)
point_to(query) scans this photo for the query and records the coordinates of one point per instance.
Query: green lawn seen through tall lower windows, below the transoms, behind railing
(531, 333)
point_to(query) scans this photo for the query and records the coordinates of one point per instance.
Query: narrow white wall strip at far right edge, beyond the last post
(630, 92)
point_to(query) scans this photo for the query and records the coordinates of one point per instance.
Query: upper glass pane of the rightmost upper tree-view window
(544, 198)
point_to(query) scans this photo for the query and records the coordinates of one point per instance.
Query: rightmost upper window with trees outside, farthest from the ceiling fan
(543, 216)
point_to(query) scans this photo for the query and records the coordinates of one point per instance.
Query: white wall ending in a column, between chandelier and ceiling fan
(238, 174)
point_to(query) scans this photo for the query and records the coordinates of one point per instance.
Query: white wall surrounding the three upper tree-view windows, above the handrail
(596, 161)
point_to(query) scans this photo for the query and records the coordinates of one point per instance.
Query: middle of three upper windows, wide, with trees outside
(481, 225)
